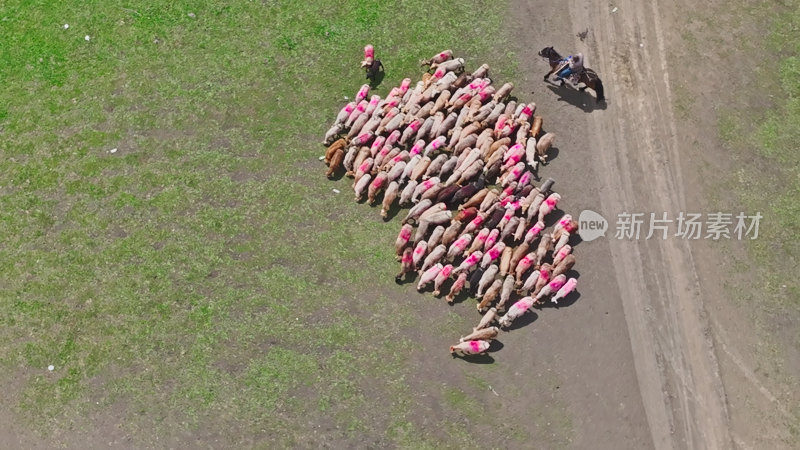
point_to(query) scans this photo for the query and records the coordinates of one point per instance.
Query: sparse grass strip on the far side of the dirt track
(760, 129)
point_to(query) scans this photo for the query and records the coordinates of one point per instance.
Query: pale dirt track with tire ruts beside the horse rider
(637, 158)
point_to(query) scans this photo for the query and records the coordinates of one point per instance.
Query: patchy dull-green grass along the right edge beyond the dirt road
(762, 137)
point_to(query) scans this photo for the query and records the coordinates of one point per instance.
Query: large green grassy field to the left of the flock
(167, 243)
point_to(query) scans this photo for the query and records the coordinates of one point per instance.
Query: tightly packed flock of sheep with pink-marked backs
(464, 156)
